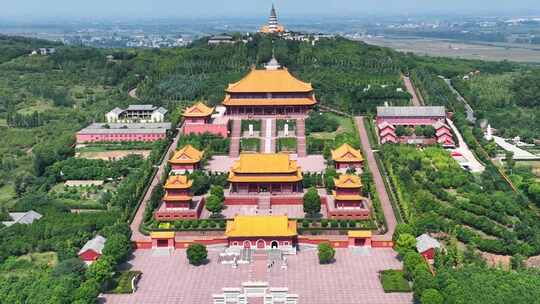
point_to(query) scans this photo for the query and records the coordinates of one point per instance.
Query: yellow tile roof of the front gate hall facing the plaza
(261, 226)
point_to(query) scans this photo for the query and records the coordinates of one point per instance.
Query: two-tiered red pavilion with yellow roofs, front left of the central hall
(178, 201)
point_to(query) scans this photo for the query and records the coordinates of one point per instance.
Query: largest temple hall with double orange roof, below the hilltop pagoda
(269, 91)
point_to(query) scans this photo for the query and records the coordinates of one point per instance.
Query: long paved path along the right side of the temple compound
(377, 179)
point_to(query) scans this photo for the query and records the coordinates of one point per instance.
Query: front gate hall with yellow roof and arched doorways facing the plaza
(262, 232)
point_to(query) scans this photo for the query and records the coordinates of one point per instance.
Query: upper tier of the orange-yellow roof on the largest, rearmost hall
(269, 81)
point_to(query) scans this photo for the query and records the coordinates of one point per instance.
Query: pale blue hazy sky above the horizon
(255, 8)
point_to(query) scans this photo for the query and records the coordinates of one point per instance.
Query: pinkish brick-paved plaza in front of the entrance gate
(352, 279)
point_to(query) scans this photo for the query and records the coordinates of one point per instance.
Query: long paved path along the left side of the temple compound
(135, 224)
